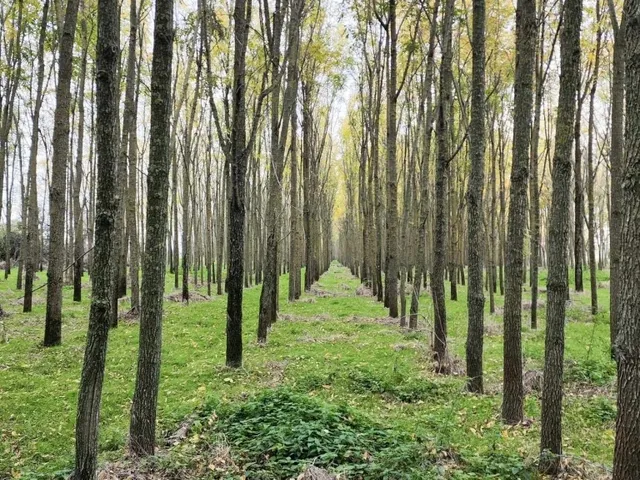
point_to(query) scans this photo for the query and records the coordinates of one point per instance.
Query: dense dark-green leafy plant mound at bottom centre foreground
(277, 433)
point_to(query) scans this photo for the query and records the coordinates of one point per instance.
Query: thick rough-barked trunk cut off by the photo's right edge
(626, 461)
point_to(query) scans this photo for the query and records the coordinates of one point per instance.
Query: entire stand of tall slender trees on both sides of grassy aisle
(210, 148)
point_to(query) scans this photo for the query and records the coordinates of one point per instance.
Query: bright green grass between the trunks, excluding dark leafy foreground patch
(325, 346)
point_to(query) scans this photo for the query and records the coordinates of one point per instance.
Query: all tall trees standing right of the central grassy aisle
(472, 161)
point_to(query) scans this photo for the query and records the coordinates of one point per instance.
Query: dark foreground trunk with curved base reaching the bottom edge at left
(90, 392)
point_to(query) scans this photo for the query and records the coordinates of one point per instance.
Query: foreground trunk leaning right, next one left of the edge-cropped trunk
(557, 285)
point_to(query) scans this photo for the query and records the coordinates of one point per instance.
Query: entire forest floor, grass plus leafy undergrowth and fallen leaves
(336, 373)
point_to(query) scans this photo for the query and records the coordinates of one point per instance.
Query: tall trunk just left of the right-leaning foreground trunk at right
(512, 401)
